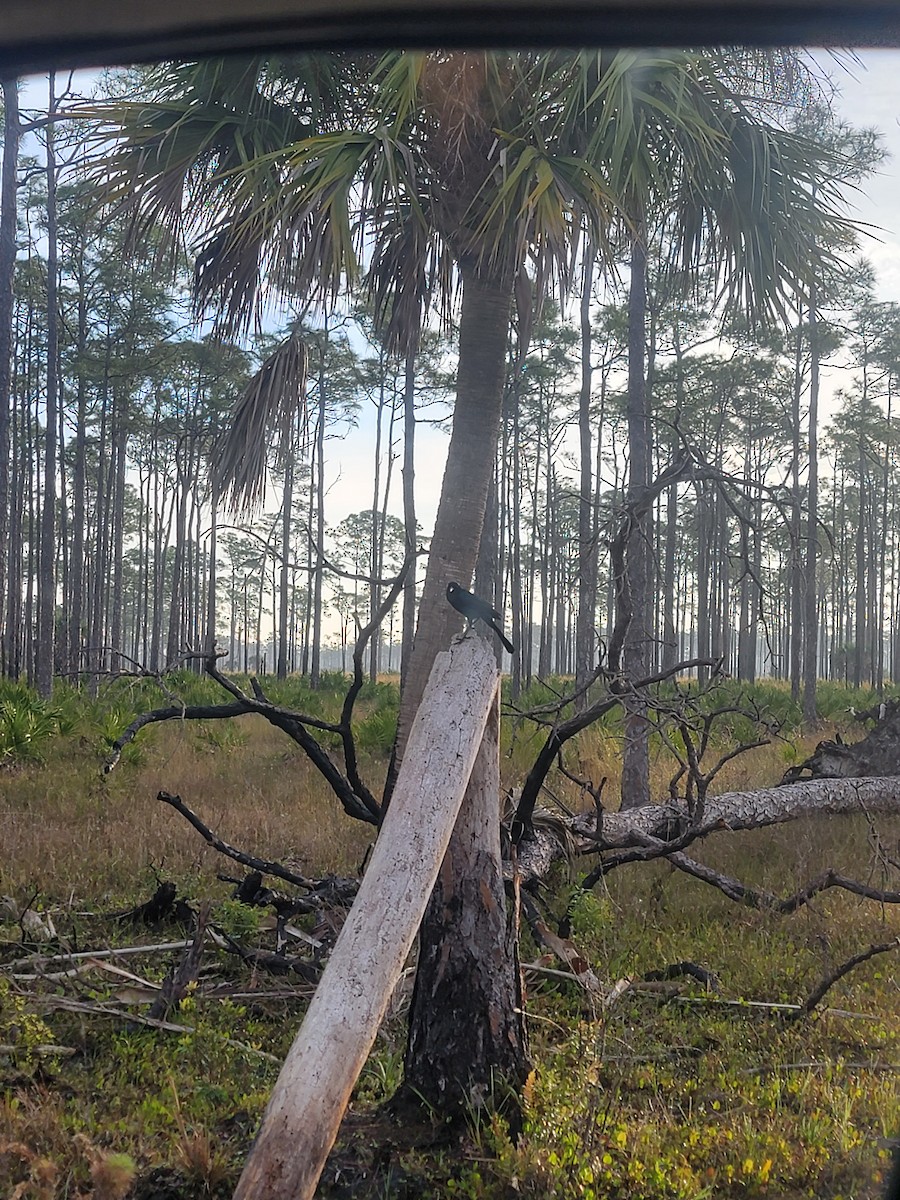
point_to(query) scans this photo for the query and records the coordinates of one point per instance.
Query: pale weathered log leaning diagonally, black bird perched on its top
(305, 1111)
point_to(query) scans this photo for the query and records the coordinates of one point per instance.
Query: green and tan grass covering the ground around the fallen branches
(663, 1096)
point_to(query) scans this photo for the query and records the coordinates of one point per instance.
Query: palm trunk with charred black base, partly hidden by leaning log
(464, 974)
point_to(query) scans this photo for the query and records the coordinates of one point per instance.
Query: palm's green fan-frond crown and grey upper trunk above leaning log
(452, 172)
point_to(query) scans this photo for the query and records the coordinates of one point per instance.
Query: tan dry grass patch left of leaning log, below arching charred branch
(68, 830)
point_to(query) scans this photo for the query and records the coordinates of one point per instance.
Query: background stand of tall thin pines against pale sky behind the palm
(776, 550)
